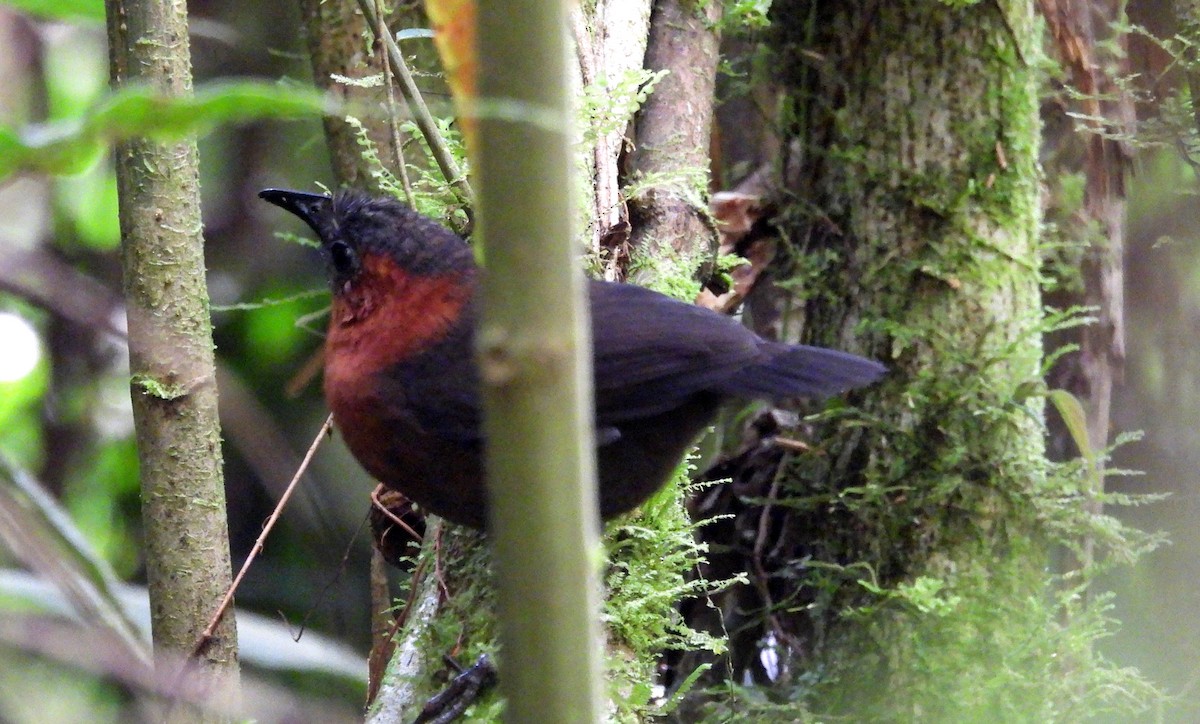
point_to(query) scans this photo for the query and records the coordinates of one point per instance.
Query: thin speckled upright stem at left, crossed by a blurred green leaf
(171, 350)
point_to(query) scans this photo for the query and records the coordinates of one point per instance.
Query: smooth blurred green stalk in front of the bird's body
(536, 361)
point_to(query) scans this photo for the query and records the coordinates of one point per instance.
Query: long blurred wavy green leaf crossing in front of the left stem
(70, 147)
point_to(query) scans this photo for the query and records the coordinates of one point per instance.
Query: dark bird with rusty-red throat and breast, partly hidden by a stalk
(404, 387)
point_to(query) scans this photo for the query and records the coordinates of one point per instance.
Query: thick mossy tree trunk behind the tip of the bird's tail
(899, 564)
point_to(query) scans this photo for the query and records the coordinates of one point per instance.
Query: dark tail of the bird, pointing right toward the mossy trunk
(800, 372)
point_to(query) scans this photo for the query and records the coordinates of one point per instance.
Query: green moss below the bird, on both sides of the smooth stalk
(652, 557)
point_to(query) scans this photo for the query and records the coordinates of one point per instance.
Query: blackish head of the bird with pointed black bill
(361, 235)
